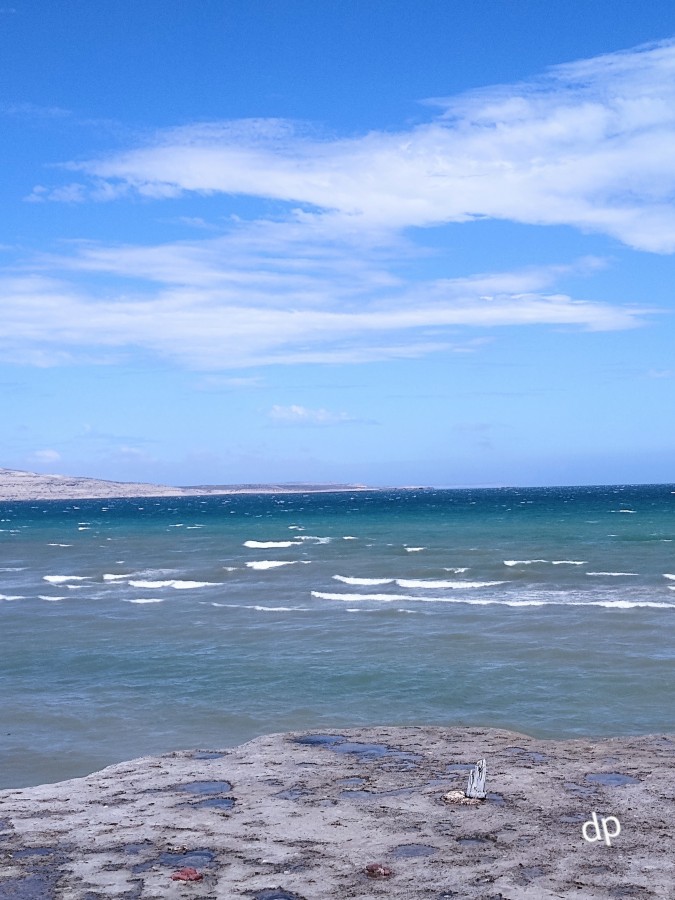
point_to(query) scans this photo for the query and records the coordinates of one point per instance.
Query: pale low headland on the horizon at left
(19, 485)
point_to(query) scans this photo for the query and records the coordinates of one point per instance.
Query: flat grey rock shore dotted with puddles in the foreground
(355, 814)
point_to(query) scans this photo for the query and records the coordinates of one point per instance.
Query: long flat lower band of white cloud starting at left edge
(299, 318)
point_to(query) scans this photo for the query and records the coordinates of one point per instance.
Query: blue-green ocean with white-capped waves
(130, 627)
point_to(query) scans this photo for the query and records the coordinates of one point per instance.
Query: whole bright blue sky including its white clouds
(393, 242)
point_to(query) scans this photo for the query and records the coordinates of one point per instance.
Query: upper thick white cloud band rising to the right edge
(589, 145)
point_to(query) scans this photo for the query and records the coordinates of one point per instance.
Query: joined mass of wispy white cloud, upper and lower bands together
(331, 279)
